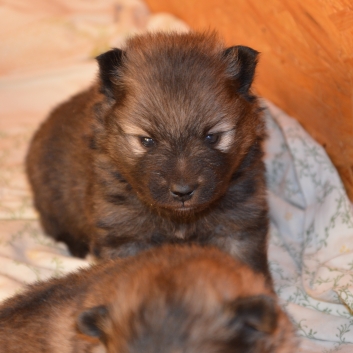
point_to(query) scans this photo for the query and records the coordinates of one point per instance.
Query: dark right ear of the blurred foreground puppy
(257, 312)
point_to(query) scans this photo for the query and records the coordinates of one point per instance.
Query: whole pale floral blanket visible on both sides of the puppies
(311, 235)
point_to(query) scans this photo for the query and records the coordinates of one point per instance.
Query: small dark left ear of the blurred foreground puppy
(92, 322)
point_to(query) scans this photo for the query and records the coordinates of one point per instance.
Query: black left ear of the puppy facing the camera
(109, 64)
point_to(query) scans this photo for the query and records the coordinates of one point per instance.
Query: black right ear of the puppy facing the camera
(242, 62)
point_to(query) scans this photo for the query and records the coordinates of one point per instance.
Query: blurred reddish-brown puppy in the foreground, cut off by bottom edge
(168, 299)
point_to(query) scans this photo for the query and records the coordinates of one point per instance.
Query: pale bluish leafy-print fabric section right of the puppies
(311, 236)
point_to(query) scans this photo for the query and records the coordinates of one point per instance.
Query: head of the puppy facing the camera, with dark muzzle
(182, 116)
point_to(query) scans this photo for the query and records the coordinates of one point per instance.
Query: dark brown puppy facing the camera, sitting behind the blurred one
(165, 147)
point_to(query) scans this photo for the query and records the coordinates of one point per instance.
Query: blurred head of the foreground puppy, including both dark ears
(190, 300)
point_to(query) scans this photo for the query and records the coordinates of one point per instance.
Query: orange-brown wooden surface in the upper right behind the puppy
(306, 65)
